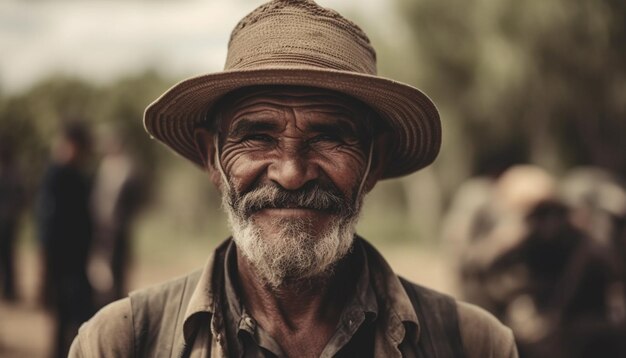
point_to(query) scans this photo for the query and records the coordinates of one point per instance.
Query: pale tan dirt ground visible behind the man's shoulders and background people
(26, 329)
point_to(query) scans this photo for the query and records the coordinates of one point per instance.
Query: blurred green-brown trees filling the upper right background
(544, 81)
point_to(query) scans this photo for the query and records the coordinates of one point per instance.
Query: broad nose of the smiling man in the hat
(292, 170)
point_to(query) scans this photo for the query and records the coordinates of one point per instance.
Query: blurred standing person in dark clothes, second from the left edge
(64, 228)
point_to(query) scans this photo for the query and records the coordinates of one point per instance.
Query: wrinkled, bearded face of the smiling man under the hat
(294, 161)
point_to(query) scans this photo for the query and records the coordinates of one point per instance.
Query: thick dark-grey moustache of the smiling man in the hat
(312, 196)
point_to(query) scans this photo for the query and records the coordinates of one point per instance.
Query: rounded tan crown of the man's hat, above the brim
(299, 34)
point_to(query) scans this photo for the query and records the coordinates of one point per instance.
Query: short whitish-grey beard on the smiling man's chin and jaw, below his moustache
(296, 252)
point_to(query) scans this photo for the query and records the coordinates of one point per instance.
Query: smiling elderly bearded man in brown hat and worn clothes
(294, 132)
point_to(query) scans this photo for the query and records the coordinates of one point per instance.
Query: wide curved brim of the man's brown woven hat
(410, 114)
